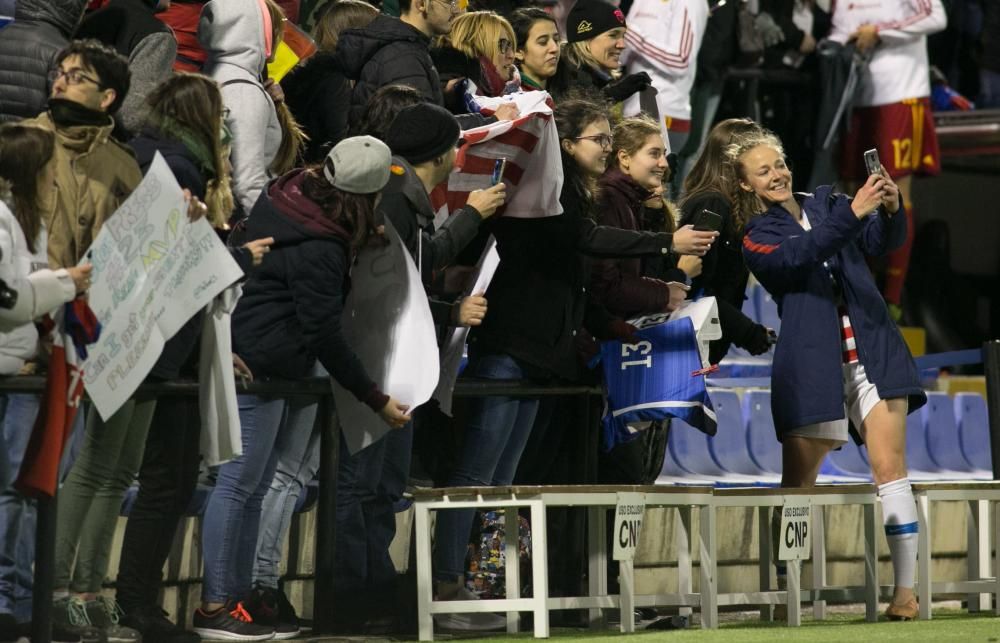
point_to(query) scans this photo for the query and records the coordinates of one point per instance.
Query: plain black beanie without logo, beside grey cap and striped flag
(422, 132)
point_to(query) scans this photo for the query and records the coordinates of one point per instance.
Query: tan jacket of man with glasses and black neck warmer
(94, 176)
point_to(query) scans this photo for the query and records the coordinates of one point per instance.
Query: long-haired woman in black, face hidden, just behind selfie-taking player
(711, 185)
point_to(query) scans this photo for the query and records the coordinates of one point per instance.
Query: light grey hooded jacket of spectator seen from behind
(233, 35)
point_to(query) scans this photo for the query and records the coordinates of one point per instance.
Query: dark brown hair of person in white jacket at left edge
(24, 152)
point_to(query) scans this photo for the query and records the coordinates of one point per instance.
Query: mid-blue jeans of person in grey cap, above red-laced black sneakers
(232, 517)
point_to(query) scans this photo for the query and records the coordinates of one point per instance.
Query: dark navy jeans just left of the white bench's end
(369, 483)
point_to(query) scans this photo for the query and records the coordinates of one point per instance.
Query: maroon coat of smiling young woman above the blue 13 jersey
(618, 284)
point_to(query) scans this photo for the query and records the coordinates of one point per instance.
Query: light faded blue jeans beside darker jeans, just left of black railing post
(297, 451)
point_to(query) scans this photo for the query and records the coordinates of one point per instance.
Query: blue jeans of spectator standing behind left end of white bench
(494, 439)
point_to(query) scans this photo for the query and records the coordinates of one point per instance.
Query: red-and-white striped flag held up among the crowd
(530, 144)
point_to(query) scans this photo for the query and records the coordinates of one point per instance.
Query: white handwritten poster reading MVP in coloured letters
(153, 270)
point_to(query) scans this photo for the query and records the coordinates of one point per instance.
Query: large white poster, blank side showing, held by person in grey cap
(388, 323)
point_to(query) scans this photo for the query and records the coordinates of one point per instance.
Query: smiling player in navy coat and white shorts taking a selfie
(840, 363)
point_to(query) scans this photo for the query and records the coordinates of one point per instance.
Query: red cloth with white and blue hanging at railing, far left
(73, 327)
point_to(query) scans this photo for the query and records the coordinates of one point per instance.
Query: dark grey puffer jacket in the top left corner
(28, 48)
